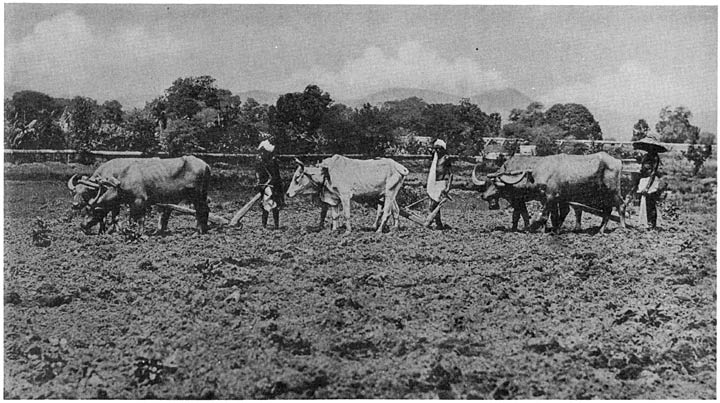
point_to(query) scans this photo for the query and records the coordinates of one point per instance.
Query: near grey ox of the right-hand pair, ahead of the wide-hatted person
(592, 180)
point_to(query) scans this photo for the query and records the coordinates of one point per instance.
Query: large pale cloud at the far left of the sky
(64, 56)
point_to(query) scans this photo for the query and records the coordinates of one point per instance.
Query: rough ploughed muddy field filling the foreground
(473, 312)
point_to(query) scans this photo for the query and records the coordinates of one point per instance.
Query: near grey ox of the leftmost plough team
(142, 183)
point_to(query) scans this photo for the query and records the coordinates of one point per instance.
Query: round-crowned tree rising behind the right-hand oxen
(575, 120)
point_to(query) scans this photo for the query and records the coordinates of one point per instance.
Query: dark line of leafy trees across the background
(194, 115)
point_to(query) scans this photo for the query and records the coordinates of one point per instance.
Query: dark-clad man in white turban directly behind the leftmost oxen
(269, 182)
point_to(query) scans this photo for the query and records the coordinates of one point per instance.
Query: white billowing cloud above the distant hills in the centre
(412, 66)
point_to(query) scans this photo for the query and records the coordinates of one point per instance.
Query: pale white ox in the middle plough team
(337, 180)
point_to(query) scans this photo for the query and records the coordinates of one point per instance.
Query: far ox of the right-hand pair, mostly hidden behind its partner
(514, 183)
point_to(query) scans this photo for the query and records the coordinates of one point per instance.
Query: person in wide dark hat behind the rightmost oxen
(648, 185)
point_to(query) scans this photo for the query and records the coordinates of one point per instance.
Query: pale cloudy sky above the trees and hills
(622, 62)
